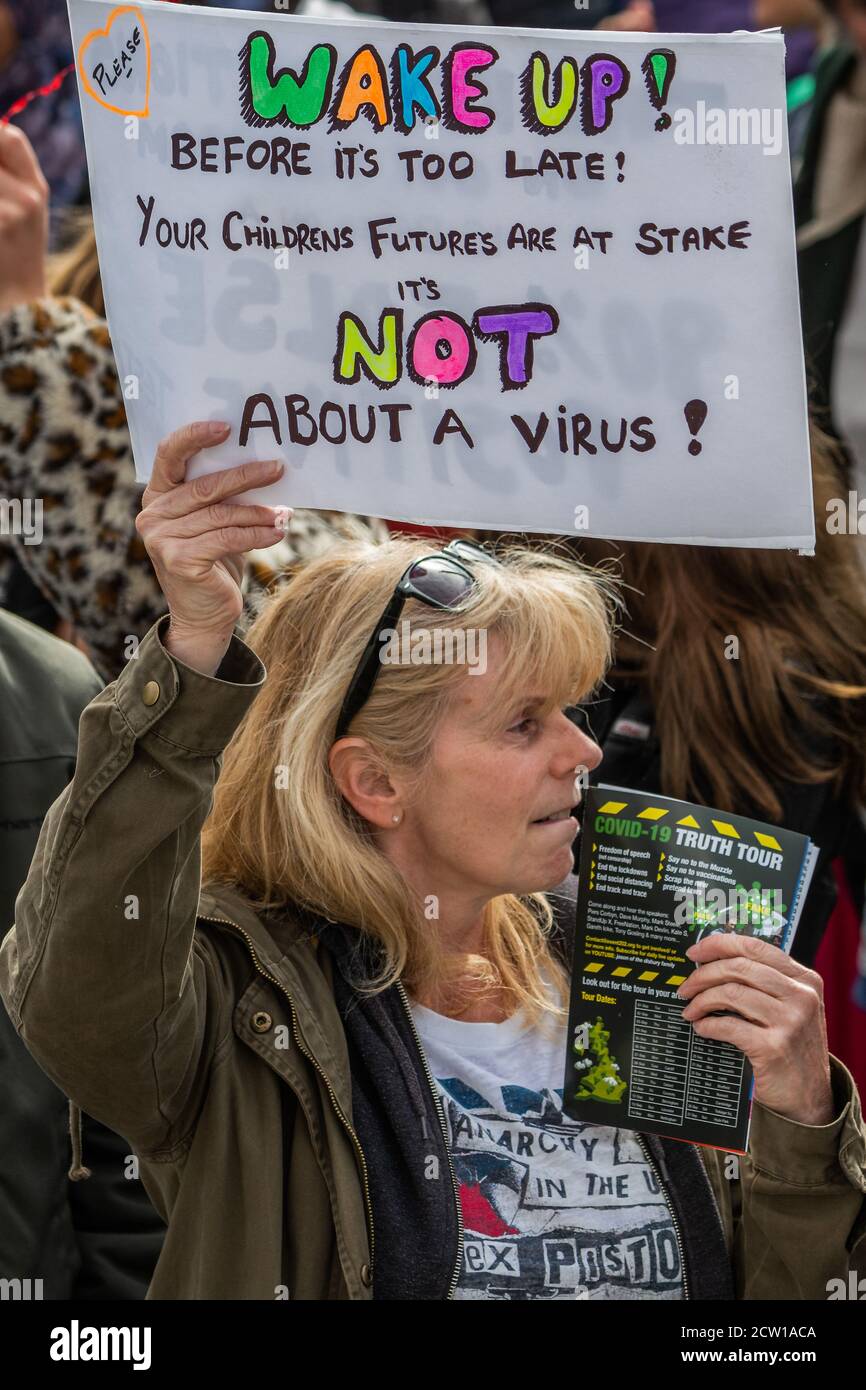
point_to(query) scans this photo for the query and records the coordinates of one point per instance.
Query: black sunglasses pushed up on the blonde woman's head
(439, 580)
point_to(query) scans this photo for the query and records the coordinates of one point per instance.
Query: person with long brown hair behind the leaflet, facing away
(740, 682)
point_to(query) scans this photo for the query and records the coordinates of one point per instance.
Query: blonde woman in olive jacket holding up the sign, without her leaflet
(341, 1060)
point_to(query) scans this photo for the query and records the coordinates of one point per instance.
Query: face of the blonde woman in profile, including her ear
(480, 826)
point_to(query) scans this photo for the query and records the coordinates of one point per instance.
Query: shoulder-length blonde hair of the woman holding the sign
(304, 843)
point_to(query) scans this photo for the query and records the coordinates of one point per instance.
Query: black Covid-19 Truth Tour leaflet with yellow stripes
(658, 875)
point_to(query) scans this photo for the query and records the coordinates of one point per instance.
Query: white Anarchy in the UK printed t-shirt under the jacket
(553, 1209)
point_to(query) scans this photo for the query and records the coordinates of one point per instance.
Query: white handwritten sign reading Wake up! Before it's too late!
(480, 277)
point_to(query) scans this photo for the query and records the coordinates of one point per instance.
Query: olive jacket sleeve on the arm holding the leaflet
(800, 1204)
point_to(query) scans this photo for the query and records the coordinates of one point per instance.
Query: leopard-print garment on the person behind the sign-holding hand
(65, 440)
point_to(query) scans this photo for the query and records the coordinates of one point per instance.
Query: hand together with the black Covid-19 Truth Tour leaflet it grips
(686, 906)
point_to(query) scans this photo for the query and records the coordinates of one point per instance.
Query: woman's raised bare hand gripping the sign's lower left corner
(197, 539)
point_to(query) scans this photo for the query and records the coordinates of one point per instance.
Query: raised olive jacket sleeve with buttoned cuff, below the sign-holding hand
(104, 974)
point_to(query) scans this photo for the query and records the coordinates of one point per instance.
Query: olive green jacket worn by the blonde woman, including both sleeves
(216, 1047)
